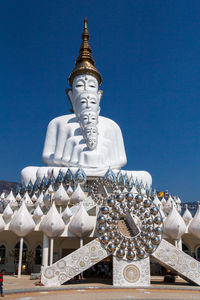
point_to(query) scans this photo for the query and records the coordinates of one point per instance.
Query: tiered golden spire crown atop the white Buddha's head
(85, 62)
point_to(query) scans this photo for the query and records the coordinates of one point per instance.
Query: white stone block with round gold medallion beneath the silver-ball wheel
(127, 273)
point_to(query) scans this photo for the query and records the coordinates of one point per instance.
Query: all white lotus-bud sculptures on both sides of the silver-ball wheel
(21, 221)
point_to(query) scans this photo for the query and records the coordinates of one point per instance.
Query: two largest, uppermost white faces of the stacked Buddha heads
(85, 94)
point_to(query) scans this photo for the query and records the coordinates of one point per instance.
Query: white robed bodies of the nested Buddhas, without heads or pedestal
(65, 146)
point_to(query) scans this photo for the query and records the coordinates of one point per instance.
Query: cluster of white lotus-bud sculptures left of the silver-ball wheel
(22, 222)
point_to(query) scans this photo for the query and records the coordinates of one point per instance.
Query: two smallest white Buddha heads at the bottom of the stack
(90, 134)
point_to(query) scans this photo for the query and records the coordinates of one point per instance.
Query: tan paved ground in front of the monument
(25, 289)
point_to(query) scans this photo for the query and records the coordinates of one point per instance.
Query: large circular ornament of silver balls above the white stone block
(129, 226)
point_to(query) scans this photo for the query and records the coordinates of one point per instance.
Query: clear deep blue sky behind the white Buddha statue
(148, 53)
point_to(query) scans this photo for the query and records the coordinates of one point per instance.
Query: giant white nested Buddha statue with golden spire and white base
(83, 139)
